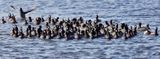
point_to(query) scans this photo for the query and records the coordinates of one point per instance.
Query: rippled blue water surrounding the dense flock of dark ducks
(127, 11)
